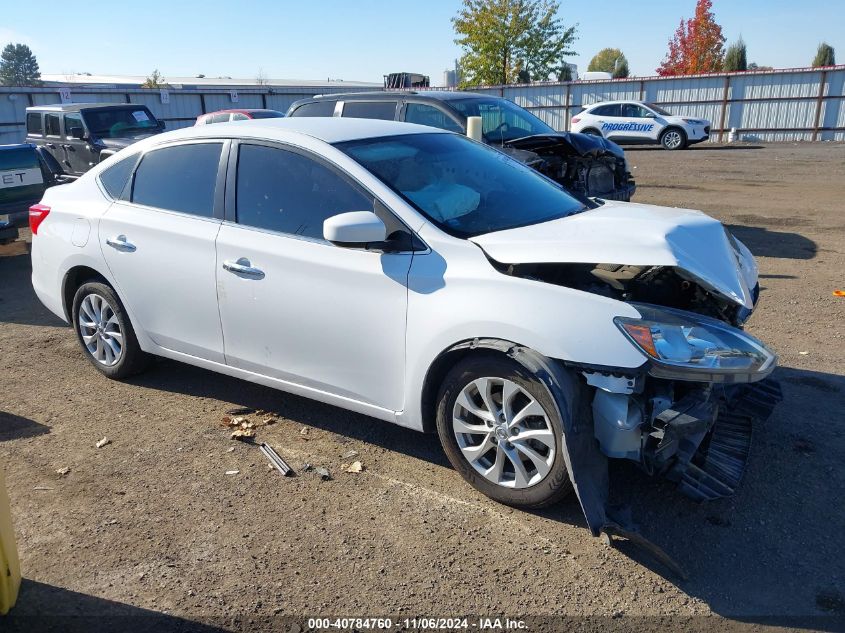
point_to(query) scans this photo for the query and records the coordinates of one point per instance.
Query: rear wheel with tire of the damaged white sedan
(103, 331)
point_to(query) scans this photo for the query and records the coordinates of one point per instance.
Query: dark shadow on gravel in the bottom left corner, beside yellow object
(44, 608)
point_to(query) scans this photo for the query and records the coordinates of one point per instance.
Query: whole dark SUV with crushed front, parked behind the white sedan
(588, 166)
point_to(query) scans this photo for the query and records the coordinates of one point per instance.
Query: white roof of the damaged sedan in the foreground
(326, 129)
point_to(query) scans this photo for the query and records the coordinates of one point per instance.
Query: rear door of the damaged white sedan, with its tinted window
(158, 242)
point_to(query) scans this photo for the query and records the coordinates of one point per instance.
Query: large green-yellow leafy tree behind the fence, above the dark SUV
(503, 38)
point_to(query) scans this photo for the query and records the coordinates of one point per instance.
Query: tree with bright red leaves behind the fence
(697, 46)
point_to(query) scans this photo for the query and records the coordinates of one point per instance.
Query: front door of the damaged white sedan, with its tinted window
(294, 306)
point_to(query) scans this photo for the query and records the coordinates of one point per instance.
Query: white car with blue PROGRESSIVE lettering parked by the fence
(637, 122)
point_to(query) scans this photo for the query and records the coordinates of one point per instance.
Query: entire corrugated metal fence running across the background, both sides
(780, 105)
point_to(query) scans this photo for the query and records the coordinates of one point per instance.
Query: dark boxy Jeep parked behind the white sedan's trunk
(80, 135)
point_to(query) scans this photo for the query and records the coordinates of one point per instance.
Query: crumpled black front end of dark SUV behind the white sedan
(588, 166)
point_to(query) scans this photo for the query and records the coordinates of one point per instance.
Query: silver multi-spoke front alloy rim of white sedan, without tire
(503, 432)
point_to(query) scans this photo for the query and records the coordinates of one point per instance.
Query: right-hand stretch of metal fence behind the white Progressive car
(780, 105)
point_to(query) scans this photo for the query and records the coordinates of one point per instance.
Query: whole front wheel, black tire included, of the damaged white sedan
(538, 490)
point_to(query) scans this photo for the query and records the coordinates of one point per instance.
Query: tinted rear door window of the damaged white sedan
(179, 178)
